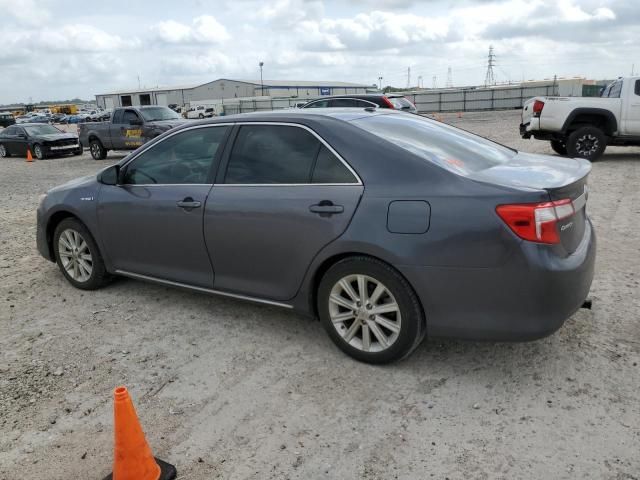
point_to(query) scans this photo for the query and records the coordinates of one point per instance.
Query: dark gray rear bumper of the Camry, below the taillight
(530, 297)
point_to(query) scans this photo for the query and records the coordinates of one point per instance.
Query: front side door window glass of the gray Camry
(184, 158)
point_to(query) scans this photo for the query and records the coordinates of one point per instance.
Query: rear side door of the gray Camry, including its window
(281, 196)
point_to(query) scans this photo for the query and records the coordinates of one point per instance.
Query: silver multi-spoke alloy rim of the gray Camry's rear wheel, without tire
(364, 313)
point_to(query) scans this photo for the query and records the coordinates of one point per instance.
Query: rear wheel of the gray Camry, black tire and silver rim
(370, 311)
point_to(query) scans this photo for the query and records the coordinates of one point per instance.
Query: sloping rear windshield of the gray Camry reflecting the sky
(452, 148)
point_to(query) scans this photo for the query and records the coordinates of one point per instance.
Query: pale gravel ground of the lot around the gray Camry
(232, 390)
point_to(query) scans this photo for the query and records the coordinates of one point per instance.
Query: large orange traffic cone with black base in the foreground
(132, 457)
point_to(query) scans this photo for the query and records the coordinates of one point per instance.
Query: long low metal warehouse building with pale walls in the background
(224, 88)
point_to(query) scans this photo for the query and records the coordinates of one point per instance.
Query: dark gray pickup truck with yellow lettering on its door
(127, 129)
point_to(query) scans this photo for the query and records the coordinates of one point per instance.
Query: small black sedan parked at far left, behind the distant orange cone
(43, 140)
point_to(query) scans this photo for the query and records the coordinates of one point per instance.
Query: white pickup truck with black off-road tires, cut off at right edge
(584, 126)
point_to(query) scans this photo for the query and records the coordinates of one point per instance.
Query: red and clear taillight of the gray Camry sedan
(536, 222)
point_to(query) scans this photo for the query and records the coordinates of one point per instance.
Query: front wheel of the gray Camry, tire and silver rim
(78, 256)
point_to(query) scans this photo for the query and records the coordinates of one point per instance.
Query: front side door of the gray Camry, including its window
(152, 223)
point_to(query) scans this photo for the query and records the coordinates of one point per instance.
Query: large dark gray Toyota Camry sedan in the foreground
(386, 225)
